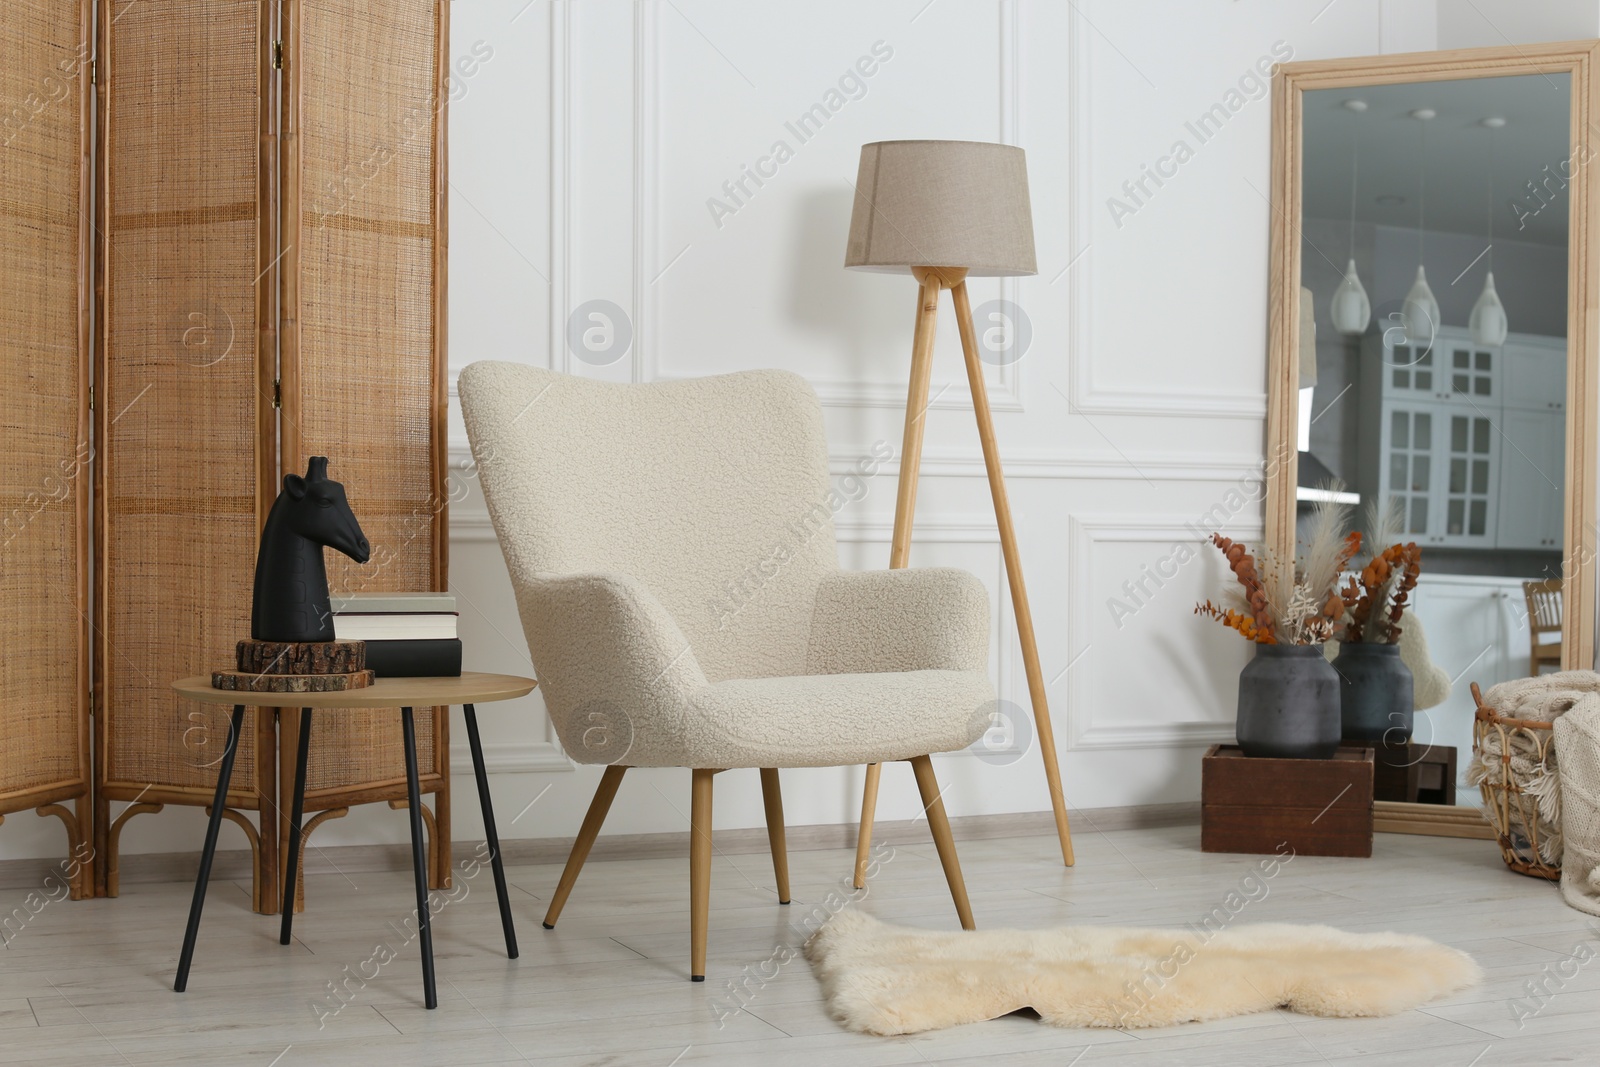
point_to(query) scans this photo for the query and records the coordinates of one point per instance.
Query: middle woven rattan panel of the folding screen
(178, 388)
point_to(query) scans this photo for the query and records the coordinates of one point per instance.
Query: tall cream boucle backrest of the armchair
(713, 492)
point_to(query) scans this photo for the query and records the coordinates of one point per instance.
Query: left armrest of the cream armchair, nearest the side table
(614, 666)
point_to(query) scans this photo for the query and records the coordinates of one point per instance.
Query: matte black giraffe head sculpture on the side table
(292, 583)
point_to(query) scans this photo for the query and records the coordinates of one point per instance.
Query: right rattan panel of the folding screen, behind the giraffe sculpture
(362, 356)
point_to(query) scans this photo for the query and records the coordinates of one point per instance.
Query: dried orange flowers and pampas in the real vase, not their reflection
(1282, 602)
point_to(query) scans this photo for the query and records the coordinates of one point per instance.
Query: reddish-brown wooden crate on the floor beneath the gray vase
(1311, 807)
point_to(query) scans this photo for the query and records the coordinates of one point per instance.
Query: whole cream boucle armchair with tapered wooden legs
(673, 553)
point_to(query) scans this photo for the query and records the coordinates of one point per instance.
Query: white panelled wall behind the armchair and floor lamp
(583, 156)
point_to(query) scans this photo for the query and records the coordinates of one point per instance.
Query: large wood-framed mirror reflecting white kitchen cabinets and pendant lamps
(1433, 348)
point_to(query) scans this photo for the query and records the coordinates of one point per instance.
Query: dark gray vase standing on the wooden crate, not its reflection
(1289, 705)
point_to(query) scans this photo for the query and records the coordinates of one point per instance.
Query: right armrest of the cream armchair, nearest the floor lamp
(906, 620)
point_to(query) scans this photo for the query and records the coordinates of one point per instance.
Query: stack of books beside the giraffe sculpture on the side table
(409, 636)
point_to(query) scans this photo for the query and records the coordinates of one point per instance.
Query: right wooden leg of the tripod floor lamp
(1014, 565)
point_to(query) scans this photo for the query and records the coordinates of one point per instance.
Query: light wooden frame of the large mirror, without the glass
(1583, 327)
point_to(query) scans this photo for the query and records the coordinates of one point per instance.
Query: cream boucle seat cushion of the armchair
(825, 721)
